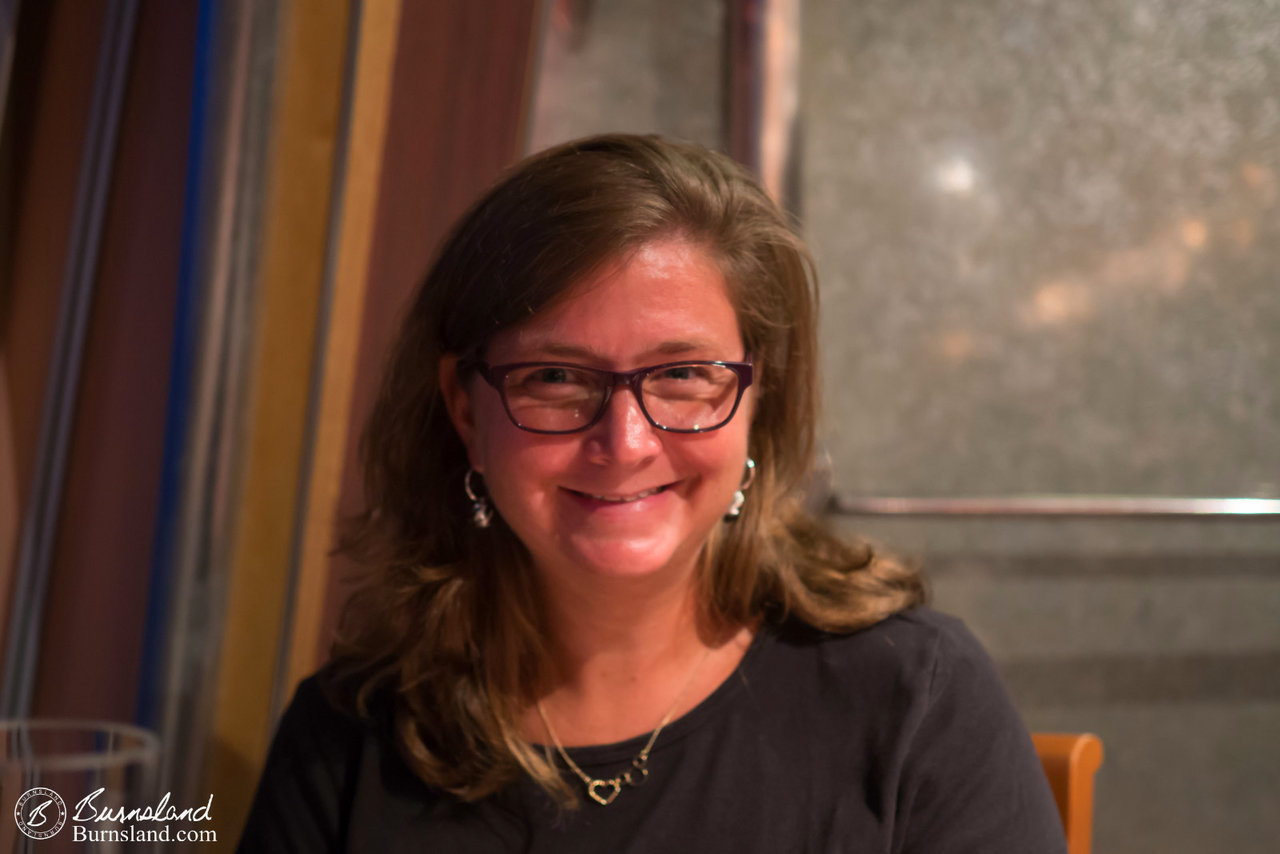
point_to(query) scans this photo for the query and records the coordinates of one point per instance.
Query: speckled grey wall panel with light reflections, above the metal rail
(1049, 238)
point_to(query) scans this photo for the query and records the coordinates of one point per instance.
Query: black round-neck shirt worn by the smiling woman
(895, 739)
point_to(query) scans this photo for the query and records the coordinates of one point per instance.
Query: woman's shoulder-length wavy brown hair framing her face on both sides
(449, 624)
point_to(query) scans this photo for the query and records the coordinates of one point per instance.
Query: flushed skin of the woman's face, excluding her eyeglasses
(621, 499)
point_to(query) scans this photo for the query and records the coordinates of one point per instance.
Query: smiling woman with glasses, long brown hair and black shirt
(591, 568)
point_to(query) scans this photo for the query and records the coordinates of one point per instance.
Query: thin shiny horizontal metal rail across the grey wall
(1060, 506)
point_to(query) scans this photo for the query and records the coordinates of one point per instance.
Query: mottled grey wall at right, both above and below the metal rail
(1049, 244)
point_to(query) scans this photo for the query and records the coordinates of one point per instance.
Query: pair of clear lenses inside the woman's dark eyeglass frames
(679, 398)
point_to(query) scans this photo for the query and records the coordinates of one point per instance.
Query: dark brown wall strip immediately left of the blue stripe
(95, 610)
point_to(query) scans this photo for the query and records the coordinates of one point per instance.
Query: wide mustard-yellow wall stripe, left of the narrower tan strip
(307, 113)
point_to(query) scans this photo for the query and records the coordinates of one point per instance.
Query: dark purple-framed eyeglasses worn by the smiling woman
(560, 398)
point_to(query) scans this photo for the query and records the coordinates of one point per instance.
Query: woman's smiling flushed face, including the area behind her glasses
(623, 494)
